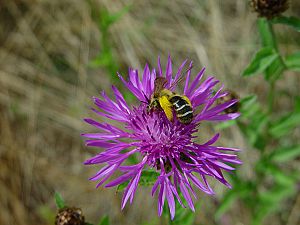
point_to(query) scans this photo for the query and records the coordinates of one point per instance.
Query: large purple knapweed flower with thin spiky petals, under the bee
(168, 147)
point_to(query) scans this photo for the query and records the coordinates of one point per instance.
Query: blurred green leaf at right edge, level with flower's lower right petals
(284, 154)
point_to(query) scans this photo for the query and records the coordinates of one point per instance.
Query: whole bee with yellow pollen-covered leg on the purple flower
(170, 102)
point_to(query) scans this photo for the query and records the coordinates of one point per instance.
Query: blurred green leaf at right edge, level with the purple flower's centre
(285, 124)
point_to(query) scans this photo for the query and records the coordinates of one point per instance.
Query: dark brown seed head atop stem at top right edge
(269, 8)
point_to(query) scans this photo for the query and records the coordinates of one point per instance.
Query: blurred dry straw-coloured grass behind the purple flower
(56, 54)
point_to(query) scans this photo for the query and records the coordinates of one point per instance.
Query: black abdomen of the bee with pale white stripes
(183, 109)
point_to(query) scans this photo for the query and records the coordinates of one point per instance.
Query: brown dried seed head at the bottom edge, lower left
(69, 216)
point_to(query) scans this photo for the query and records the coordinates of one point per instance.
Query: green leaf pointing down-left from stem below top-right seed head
(261, 61)
